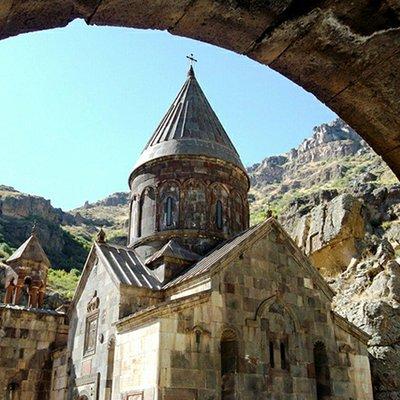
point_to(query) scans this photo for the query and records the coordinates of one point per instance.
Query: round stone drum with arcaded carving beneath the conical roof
(195, 183)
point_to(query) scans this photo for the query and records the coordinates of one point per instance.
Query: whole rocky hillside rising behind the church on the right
(341, 205)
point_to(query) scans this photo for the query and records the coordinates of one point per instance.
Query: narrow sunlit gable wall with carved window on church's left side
(89, 369)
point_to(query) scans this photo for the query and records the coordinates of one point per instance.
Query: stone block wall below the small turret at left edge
(27, 337)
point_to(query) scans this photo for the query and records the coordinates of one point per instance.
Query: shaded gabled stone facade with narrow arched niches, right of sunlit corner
(263, 300)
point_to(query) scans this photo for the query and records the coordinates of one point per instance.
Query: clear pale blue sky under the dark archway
(78, 104)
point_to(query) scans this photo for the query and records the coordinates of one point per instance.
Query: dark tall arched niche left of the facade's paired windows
(229, 364)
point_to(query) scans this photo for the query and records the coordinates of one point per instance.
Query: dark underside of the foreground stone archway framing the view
(345, 53)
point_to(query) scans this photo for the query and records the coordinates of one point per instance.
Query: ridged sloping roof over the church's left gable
(127, 267)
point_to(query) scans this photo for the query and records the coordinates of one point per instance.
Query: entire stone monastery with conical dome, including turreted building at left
(197, 306)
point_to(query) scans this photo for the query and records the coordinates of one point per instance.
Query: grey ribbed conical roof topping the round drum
(190, 127)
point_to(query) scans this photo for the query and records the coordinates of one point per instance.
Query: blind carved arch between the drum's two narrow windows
(194, 196)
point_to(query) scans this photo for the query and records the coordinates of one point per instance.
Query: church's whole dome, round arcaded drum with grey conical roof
(189, 184)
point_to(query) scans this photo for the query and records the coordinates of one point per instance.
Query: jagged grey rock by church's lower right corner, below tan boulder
(368, 294)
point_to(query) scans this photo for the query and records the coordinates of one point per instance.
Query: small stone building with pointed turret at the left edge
(28, 333)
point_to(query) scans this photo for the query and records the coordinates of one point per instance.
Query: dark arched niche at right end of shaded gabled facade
(322, 374)
